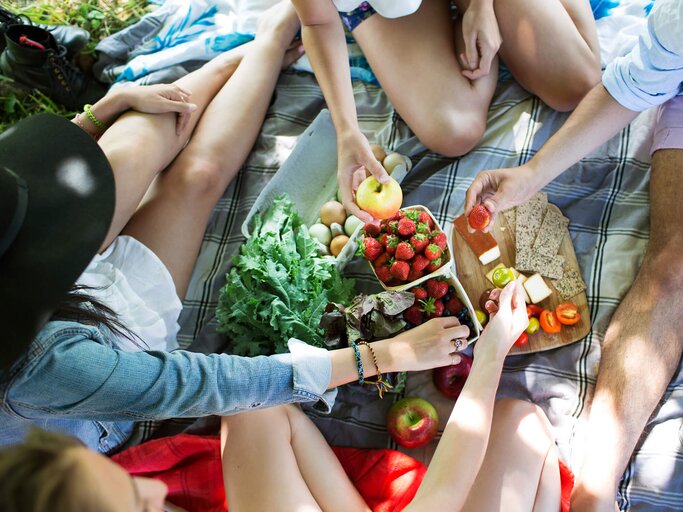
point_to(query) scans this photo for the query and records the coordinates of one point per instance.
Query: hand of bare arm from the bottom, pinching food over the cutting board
(505, 326)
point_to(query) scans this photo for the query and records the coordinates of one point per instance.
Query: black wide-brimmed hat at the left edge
(56, 204)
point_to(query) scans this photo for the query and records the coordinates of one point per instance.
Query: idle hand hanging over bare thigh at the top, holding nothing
(482, 39)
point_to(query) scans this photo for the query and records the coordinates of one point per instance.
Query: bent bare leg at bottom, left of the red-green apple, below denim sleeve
(276, 459)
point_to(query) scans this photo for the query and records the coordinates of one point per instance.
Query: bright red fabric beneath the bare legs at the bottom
(191, 468)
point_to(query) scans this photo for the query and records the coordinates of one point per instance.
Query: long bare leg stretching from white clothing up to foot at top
(173, 216)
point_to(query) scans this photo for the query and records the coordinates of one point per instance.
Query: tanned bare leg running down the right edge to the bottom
(646, 327)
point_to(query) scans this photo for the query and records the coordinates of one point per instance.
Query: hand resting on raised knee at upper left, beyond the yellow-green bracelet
(160, 99)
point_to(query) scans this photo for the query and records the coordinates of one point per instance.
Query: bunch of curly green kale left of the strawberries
(279, 286)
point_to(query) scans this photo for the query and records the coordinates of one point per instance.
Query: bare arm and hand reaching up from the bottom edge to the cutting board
(462, 447)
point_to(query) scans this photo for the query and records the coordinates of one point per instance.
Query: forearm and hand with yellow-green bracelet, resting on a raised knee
(149, 99)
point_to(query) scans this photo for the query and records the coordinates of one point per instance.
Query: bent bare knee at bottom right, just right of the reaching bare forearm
(520, 469)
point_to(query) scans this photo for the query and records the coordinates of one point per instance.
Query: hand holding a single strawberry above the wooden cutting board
(501, 189)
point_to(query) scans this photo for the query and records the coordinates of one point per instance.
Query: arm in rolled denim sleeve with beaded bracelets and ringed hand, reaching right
(80, 378)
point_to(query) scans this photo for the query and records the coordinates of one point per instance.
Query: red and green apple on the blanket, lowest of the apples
(412, 422)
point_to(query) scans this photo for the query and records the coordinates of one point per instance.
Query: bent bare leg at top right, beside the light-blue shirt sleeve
(550, 47)
